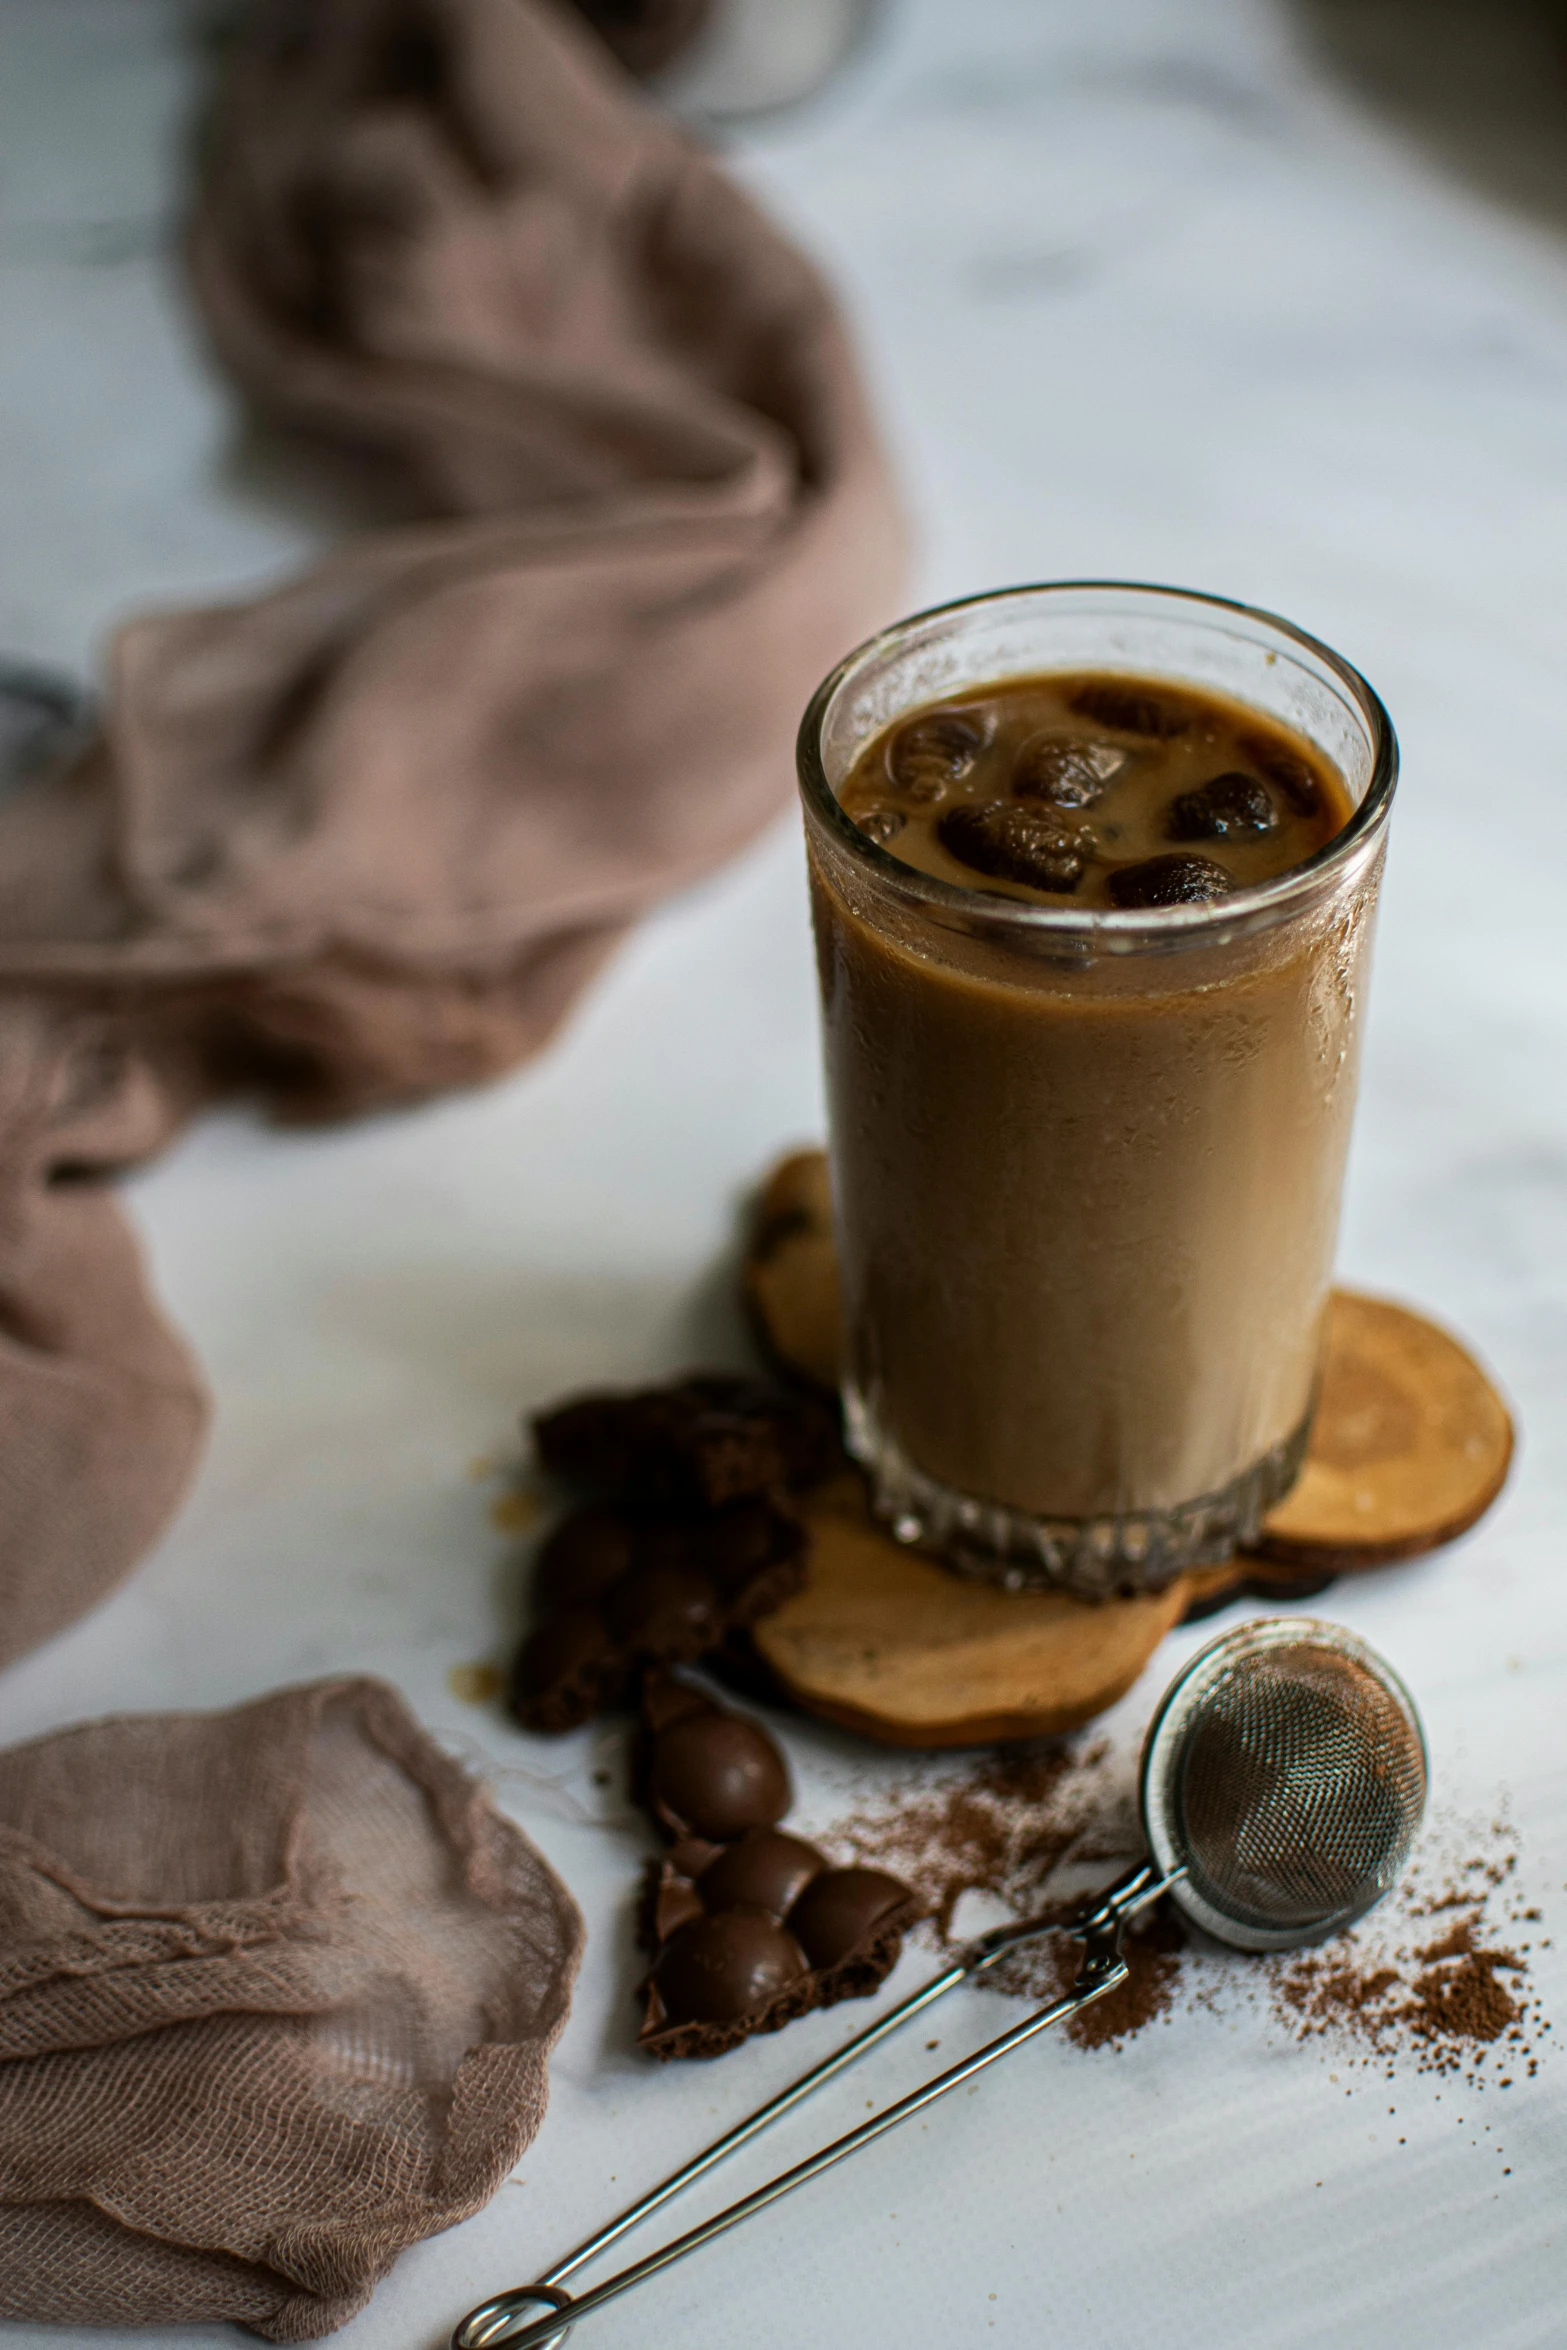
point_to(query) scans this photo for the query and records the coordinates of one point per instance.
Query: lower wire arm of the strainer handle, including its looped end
(1103, 1970)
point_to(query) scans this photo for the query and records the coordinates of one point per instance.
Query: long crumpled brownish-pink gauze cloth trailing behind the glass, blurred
(370, 835)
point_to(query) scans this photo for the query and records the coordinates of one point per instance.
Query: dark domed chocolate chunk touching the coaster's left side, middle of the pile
(619, 1592)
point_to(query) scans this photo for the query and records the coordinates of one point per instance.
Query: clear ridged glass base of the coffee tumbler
(1098, 1559)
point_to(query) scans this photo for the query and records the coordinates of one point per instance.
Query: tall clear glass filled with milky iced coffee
(1094, 880)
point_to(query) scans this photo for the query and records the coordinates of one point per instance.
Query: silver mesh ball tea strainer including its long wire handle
(1284, 1782)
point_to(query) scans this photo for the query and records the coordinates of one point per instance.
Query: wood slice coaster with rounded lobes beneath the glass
(1411, 1446)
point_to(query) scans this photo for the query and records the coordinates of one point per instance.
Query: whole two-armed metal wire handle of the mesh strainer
(1101, 1926)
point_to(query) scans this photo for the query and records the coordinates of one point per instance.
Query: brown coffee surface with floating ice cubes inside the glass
(1101, 788)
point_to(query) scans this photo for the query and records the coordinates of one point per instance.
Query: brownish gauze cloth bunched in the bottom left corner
(276, 1999)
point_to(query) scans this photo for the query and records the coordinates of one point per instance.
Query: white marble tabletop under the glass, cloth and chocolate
(1145, 295)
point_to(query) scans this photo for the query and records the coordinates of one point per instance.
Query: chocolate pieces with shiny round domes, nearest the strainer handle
(746, 1923)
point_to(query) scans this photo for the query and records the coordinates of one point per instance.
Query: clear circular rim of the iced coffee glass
(1129, 927)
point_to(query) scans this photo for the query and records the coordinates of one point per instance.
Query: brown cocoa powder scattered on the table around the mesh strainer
(1432, 1982)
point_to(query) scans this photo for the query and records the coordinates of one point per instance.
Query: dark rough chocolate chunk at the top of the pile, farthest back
(701, 1442)
